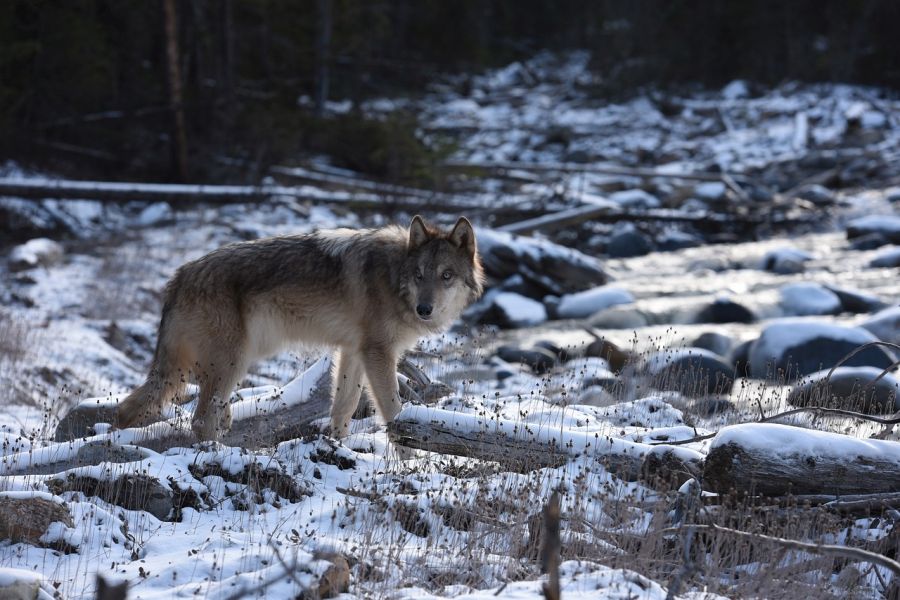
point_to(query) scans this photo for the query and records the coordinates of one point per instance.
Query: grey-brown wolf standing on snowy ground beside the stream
(370, 294)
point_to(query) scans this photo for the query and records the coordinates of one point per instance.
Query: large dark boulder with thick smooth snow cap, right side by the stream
(791, 348)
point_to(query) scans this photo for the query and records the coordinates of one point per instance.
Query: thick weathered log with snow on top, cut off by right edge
(776, 460)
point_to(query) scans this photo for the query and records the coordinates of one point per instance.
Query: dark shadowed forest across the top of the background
(160, 88)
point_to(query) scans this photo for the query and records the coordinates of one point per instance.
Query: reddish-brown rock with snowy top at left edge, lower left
(25, 516)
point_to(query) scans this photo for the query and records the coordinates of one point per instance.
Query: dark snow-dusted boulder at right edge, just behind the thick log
(849, 389)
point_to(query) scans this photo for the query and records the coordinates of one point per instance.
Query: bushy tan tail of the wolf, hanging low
(165, 381)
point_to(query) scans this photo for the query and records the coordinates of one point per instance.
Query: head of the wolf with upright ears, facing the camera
(442, 272)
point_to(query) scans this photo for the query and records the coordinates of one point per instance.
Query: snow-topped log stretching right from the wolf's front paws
(516, 445)
